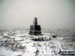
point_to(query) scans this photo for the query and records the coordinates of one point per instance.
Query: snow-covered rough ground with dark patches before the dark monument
(21, 44)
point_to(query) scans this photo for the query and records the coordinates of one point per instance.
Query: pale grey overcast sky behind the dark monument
(53, 14)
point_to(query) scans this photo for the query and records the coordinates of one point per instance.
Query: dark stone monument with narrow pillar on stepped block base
(35, 29)
